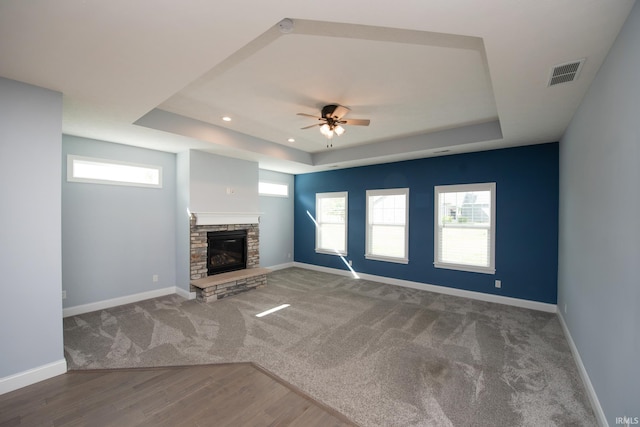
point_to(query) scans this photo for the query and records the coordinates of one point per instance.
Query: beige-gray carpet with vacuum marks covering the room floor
(380, 354)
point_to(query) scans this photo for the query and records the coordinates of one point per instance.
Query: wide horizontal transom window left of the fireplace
(100, 171)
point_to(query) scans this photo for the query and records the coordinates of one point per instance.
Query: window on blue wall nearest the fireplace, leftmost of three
(331, 223)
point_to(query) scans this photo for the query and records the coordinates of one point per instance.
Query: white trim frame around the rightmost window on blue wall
(489, 186)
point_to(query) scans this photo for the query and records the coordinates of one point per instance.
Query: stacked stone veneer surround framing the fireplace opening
(199, 245)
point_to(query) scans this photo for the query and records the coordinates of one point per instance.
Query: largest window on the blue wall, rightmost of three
(465, 227)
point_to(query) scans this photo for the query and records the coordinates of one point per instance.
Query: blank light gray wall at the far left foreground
(30, 307)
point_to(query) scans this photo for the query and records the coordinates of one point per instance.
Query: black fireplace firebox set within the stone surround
(226, 251)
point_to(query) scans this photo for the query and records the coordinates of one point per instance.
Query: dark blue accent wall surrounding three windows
(526, 218)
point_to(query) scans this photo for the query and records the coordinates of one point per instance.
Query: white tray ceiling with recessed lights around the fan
(434, 77)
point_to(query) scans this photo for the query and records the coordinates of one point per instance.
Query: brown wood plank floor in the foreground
(237, 394)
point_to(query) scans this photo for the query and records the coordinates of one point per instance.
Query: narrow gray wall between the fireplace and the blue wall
(276, 222)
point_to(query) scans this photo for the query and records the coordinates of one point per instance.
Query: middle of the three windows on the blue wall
(388, 225)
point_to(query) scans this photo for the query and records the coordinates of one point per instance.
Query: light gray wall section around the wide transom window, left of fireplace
(116, 238)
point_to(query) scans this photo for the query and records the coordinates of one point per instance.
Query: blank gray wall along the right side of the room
(599, 244)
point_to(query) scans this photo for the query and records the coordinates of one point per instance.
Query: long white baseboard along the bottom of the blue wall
(533, 305)
